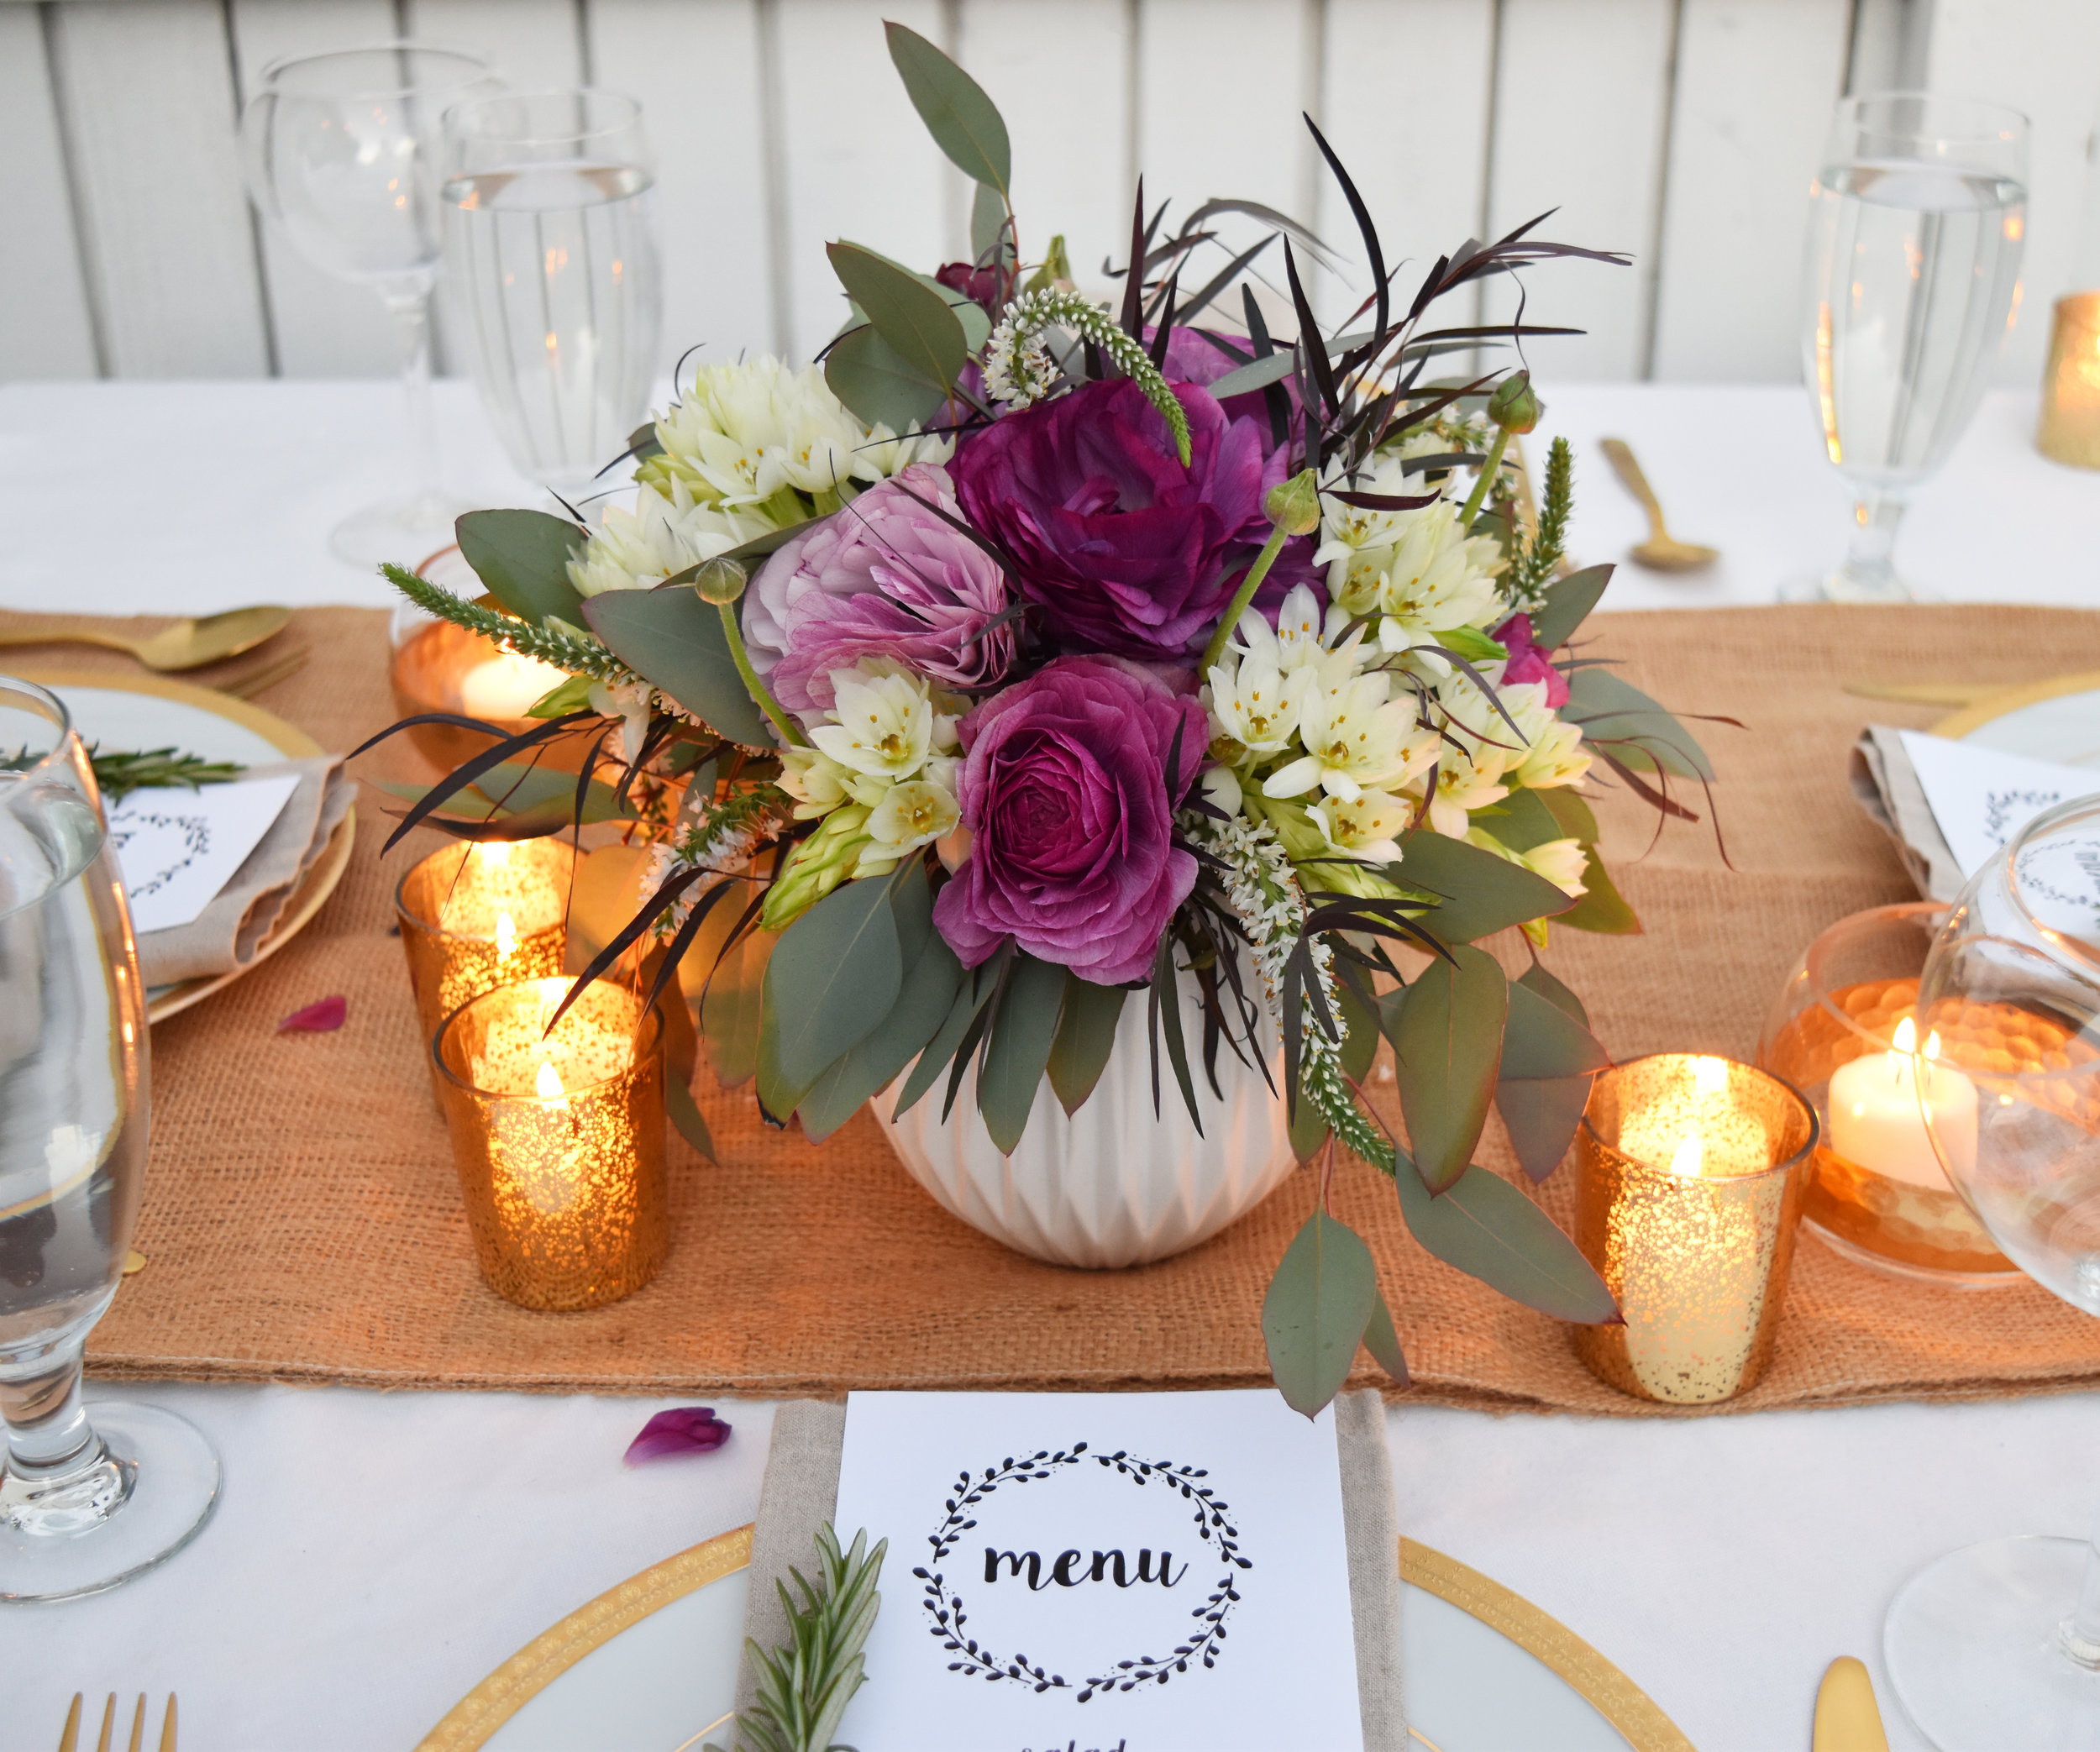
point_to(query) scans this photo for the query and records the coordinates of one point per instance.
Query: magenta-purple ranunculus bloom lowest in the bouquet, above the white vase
(1072, 818)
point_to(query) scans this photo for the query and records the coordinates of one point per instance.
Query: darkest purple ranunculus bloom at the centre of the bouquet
(1122, 547)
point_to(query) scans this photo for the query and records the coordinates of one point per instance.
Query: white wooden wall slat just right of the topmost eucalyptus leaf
(1062, 83)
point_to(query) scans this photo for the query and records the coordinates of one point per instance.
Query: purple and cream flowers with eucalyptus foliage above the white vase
(1030, 654)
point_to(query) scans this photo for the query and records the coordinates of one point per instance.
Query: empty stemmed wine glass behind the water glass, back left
(341, 152)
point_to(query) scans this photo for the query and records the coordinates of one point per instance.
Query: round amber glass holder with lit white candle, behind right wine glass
(1845, 1035)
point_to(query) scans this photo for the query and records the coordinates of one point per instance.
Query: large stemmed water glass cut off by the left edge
(83, 1505)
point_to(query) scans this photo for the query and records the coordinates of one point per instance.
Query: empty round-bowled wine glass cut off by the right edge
(2000, 1644)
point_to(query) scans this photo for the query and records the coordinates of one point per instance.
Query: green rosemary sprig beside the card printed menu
(805, 1686)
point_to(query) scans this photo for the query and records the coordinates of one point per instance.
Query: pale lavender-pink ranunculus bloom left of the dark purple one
(879, 579)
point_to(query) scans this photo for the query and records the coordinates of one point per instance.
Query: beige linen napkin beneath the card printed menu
(801, 1490)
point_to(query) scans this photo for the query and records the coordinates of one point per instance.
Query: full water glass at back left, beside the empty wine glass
(551, 241)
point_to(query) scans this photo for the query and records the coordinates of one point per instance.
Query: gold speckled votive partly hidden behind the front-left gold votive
(476, 917)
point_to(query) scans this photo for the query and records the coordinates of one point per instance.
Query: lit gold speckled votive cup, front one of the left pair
(560, 1140)
